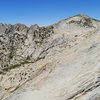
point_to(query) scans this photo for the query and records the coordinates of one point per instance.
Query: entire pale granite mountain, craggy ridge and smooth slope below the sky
(56, 62)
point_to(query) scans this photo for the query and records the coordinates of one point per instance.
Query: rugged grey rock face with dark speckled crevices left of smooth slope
(19, 43)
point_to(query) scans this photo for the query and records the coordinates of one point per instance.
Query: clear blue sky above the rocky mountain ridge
(45, 12)
